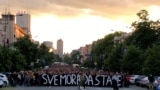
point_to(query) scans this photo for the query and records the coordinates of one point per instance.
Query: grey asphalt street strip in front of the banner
(67, 88)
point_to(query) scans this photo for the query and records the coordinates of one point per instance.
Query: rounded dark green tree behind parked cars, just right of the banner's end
(132, 60)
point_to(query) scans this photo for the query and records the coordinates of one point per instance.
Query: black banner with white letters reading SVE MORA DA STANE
(73, 79)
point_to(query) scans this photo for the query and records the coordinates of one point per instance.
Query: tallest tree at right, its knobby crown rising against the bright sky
(145, 31)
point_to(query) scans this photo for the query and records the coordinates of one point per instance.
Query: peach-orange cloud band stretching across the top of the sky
(73, 8)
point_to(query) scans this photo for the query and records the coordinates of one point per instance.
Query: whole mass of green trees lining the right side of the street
(137, 58)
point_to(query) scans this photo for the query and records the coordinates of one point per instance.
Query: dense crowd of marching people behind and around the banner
(34, 78)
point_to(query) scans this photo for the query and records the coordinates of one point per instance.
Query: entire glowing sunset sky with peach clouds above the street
(79, 22)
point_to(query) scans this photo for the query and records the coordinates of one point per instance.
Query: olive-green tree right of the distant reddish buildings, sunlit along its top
(102, 49)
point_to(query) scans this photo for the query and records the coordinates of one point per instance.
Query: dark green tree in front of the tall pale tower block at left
(28, 49)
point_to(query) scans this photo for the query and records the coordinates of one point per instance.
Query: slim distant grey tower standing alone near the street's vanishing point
(60, 47)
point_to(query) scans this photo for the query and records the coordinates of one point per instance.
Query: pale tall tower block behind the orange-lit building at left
(23, 20)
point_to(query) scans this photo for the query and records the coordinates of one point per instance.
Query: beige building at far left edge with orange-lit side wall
(9, 31)
